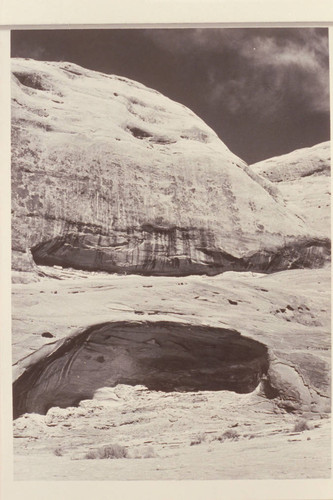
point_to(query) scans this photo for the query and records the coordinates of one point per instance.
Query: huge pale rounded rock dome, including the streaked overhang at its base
(110, 175)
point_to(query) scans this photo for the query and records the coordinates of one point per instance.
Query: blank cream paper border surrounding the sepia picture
(22, 15)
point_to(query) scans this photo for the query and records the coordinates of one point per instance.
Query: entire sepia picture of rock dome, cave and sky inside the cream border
(171, 254)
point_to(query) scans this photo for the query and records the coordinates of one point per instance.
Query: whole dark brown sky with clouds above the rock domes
(265, 91)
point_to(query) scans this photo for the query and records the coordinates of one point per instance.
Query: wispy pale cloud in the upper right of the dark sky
(256, 70)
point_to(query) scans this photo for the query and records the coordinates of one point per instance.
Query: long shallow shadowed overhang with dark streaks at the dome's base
(157, 253)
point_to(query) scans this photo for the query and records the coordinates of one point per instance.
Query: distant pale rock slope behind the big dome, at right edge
(303, 178)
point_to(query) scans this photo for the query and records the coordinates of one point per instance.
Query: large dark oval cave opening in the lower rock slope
(163, 356)
